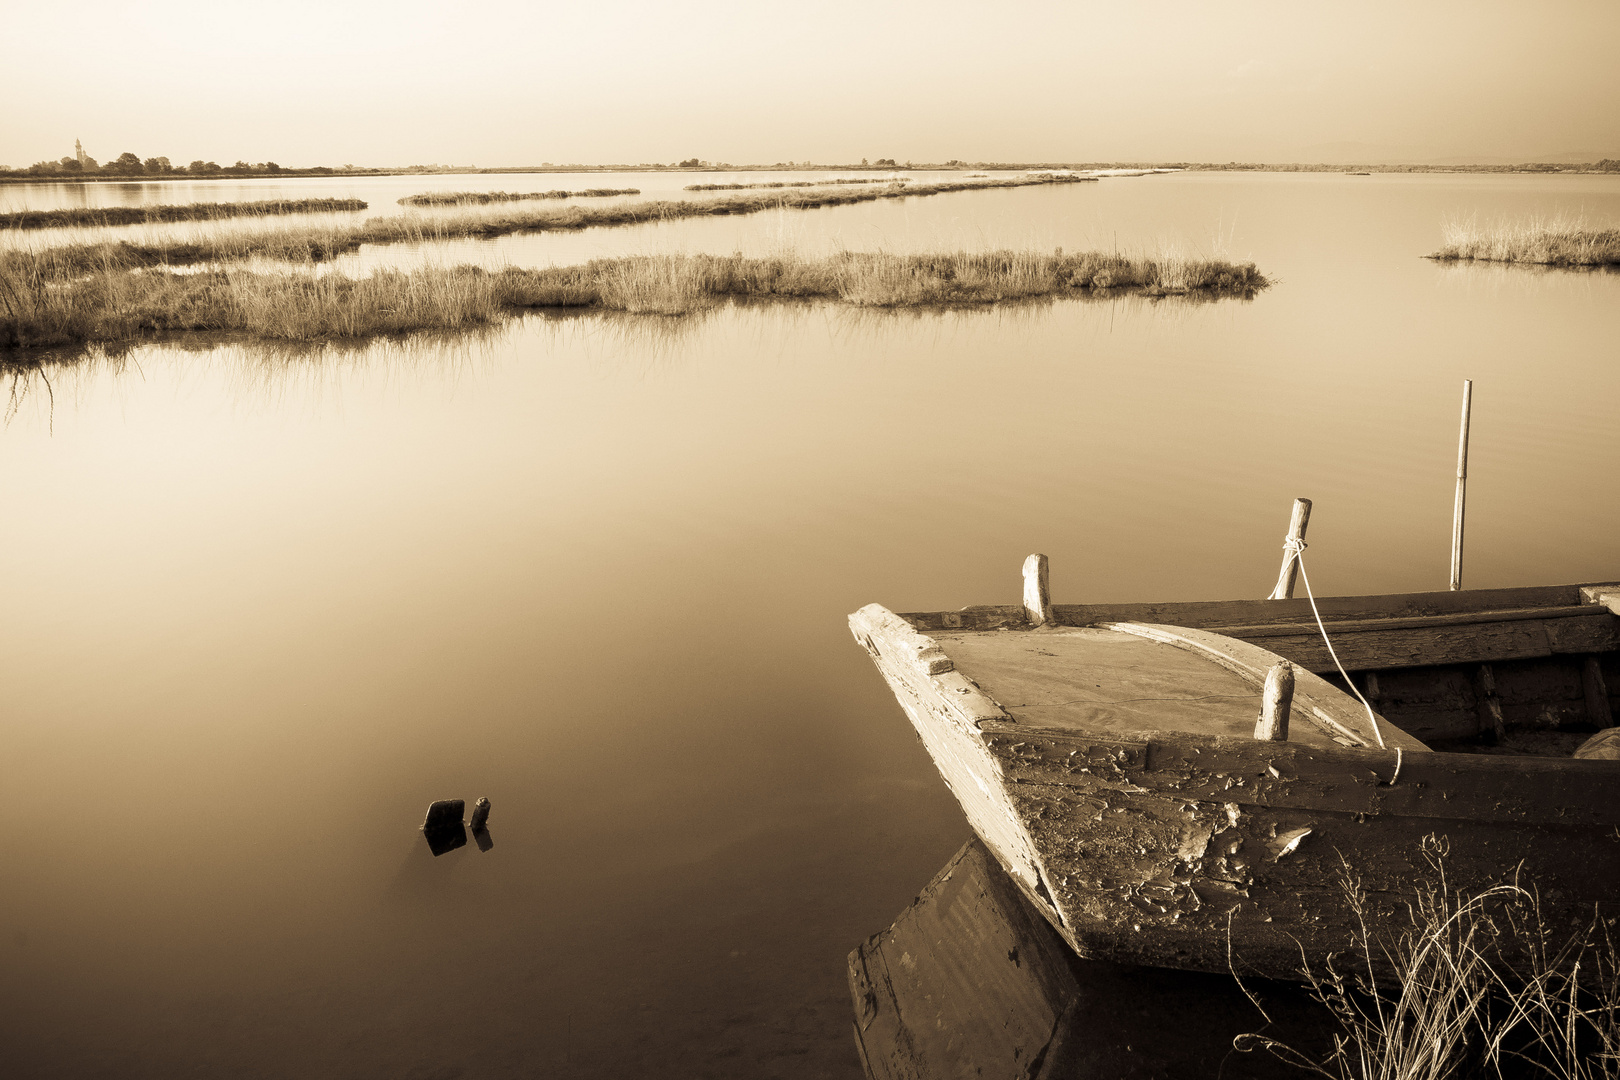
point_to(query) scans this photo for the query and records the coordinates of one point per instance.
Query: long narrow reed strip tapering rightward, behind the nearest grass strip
(318, 244)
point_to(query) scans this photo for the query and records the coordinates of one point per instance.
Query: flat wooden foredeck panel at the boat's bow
(1107, 682)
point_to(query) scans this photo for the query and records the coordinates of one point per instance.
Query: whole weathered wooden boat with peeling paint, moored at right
(1109, 757)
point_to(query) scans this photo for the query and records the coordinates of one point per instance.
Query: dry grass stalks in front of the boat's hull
(1456, 1006)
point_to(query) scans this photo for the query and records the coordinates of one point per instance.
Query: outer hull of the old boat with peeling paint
(1209, 853)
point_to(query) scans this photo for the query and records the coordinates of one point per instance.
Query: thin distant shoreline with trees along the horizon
(1605, 168)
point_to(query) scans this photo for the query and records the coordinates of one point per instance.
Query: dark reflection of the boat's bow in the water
(971, 980)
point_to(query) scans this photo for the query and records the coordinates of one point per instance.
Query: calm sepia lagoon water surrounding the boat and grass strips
(262, 611)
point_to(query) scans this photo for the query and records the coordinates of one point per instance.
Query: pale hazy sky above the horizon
(503, 83)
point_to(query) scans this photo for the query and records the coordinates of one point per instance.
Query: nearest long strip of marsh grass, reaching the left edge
(40, 307)
